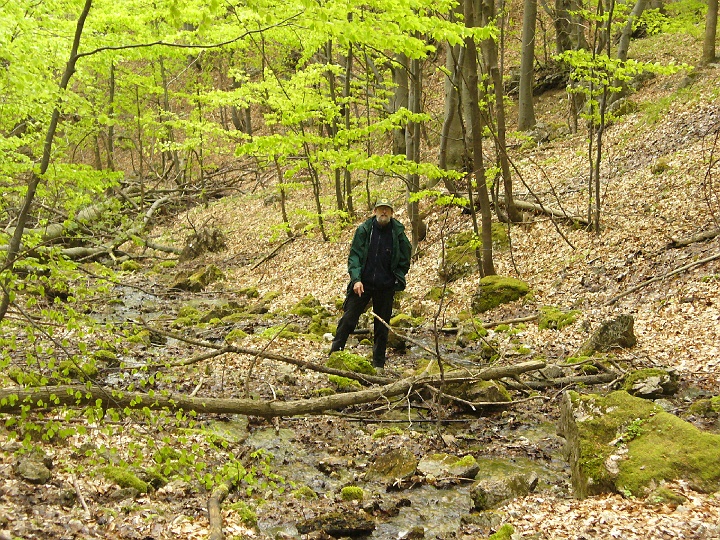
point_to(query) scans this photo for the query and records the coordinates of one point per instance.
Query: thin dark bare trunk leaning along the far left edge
(16, 240)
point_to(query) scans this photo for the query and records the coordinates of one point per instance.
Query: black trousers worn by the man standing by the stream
(354, 306)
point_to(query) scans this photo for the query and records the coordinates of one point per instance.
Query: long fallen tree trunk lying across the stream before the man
(13, 400)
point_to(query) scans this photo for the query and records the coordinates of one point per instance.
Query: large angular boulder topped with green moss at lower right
(620, 443)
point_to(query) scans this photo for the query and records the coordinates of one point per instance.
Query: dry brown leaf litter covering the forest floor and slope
(658, 186)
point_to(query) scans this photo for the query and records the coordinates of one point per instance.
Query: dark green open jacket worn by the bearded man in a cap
(400, 263)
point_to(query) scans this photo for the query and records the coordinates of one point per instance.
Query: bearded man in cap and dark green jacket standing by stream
(378, 262)
